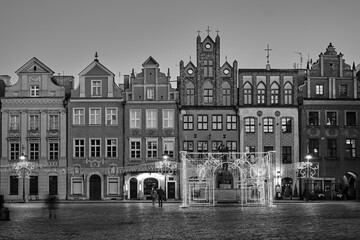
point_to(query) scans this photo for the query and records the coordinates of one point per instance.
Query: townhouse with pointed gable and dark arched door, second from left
(95, 136)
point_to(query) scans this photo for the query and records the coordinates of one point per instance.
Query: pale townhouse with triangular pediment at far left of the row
(34, 127)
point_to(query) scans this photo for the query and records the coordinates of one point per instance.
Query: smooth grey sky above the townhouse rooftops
(65, 34)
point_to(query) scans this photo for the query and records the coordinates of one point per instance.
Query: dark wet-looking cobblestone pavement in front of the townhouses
(87, 220)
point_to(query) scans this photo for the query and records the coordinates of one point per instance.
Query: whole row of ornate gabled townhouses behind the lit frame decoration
(97, 139)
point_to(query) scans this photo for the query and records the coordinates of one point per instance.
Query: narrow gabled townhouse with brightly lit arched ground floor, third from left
(150, 133)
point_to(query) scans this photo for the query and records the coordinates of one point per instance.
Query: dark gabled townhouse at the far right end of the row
(329, 119)
